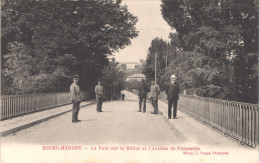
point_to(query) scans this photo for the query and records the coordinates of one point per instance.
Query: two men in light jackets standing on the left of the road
(76, 97)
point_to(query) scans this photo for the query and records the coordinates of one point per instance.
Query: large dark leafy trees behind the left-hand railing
(44, 43)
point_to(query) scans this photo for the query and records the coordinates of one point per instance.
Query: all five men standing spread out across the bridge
(172, 90)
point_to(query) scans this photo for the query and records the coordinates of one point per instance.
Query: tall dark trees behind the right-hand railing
(214, 52)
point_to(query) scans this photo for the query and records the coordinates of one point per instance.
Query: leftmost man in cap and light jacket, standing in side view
(75, 97)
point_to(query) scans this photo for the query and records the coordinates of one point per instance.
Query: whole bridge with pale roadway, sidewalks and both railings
(205, 129)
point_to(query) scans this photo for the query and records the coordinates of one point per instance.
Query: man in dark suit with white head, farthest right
(172, 90)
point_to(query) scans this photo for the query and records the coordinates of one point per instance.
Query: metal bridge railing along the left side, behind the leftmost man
(17, 105)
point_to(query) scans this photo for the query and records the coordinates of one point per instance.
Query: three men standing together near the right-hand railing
(172, 90)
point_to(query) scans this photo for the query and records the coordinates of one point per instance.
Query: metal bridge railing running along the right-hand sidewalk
(235, 119)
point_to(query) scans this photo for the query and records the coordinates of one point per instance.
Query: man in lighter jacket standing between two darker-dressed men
(154, 93)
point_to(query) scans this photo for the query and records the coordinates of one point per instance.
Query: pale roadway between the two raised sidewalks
(119, 123)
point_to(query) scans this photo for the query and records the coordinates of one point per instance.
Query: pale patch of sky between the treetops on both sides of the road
(150, 25)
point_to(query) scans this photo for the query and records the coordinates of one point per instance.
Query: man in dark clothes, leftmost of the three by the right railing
(143, 89)
